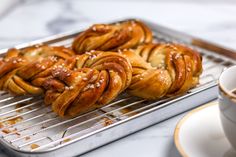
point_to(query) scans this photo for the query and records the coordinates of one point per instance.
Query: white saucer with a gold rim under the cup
(200, 134)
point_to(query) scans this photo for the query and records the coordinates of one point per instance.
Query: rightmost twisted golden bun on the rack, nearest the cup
(163, 69)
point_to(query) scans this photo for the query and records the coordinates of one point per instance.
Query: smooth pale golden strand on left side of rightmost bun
(147, 81)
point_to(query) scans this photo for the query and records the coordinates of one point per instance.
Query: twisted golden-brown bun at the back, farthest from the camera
(112, 37)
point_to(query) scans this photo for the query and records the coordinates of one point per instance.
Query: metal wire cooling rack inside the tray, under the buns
(26, 124)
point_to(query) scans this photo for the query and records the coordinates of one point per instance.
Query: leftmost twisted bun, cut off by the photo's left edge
(19, 69)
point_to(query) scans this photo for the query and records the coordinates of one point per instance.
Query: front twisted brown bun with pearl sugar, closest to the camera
(90, 81)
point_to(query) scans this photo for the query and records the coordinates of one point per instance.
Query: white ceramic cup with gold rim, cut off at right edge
(227, 103)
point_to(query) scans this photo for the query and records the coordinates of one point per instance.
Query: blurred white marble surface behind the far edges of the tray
(27, 20)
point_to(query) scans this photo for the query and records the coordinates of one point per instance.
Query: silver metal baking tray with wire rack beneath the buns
(32, 129)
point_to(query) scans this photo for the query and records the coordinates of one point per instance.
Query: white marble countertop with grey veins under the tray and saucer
(28, 20)
